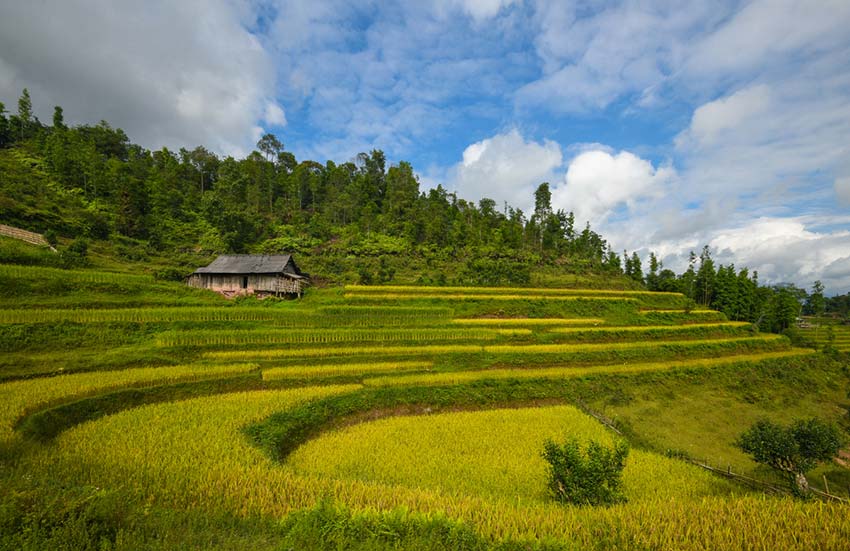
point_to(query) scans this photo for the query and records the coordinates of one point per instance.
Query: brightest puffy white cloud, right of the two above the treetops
(598, 182)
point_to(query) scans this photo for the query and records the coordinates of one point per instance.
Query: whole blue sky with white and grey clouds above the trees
(667, 125)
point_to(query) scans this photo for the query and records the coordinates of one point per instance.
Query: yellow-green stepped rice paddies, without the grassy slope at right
(301, 389)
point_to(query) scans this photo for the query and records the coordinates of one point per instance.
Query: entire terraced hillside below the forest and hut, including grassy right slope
(140, 414)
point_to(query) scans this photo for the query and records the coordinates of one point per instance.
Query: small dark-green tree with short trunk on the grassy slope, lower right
(792, 450)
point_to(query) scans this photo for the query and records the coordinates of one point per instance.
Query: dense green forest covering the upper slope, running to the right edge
(356, 221)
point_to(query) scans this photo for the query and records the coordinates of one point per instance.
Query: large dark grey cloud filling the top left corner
(170, 73)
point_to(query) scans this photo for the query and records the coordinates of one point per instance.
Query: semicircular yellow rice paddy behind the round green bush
(495, 454)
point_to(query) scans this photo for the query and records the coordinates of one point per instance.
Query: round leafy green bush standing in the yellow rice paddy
(593, 476)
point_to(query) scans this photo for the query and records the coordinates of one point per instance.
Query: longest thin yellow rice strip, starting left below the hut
(490, 349)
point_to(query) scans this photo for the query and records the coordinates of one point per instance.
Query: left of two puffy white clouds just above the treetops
(506, 167)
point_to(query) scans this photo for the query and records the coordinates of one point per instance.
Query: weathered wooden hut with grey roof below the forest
(251, 274)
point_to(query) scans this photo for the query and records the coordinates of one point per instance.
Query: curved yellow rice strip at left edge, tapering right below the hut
(20, 397)
